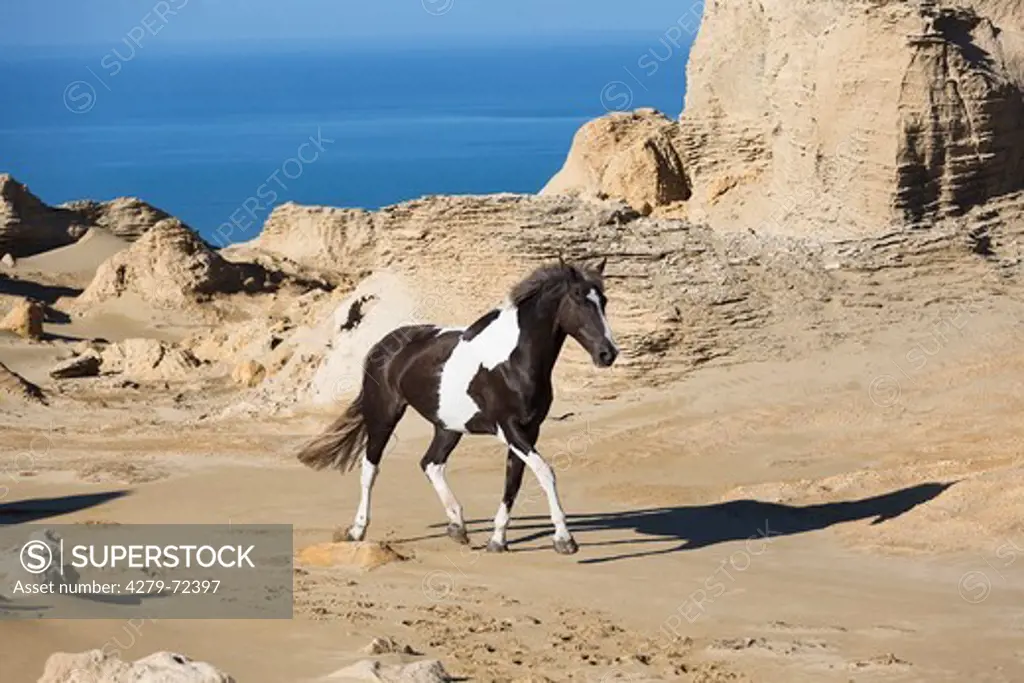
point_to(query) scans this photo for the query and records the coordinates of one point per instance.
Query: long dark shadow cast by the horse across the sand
(703, 526)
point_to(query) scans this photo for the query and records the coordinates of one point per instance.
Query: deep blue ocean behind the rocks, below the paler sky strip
(209, 135)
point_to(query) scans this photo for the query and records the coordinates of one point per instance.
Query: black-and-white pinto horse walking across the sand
(493, 377)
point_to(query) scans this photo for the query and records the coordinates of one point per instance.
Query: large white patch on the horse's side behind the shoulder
(491, 348)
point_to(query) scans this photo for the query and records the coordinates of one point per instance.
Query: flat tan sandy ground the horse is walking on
(850, 517)
